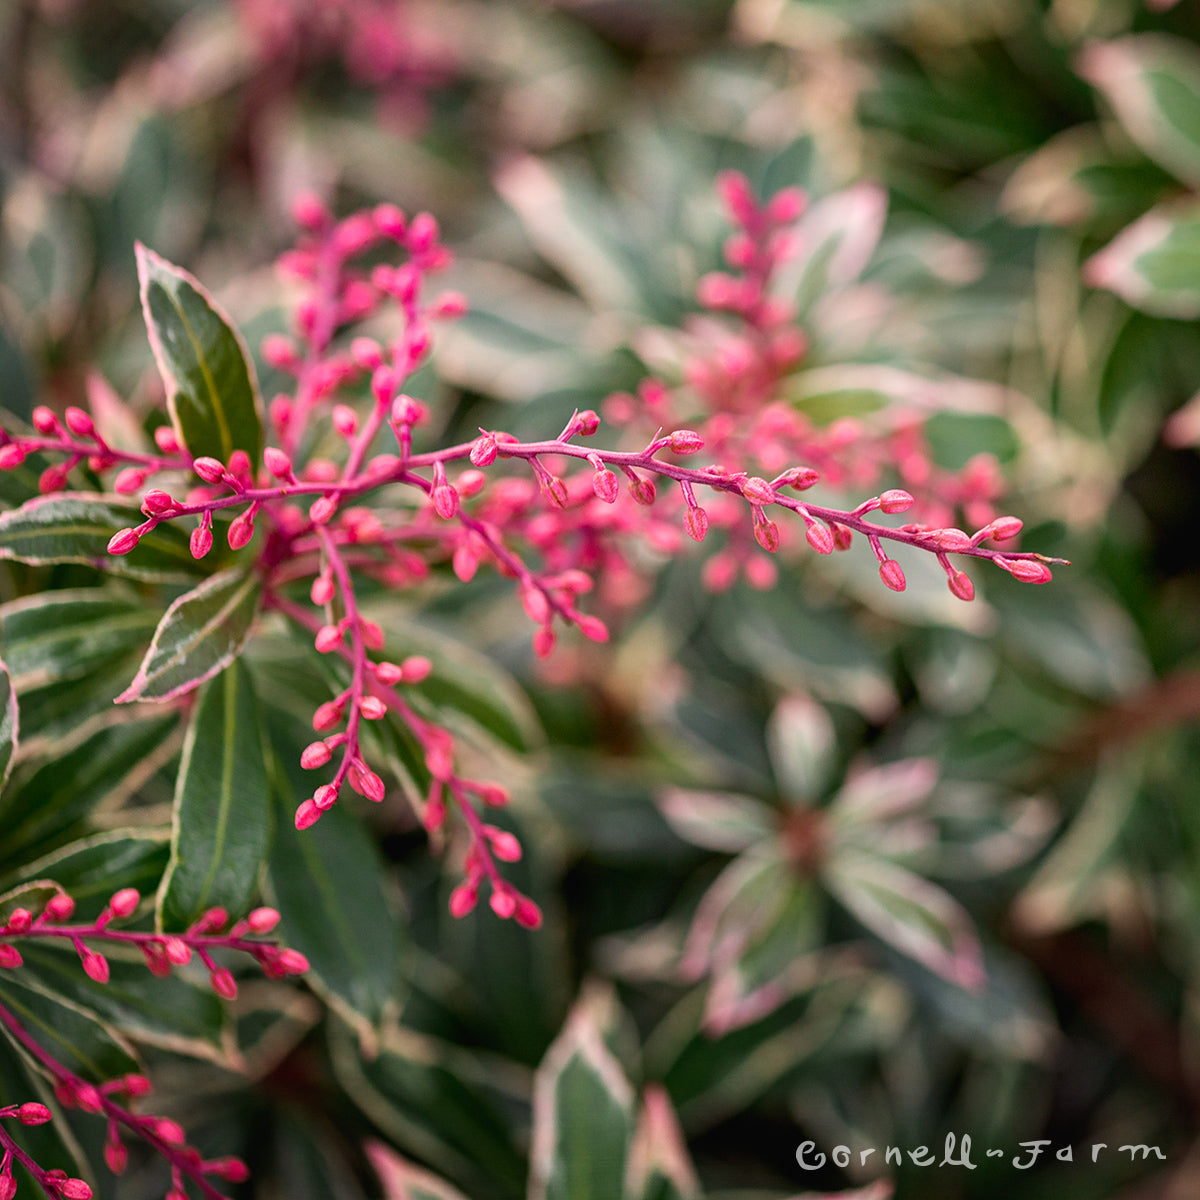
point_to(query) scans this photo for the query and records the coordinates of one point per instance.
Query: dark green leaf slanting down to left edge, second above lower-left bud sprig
(47, 801)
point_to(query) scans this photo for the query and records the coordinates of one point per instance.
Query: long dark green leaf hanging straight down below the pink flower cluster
(223, 819)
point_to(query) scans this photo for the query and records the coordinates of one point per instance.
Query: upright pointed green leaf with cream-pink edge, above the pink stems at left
(212, 391)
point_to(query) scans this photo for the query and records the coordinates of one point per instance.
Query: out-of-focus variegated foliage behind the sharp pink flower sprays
(1023, 770)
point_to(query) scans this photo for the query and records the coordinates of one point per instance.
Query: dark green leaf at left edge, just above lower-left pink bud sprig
(94, 868)
